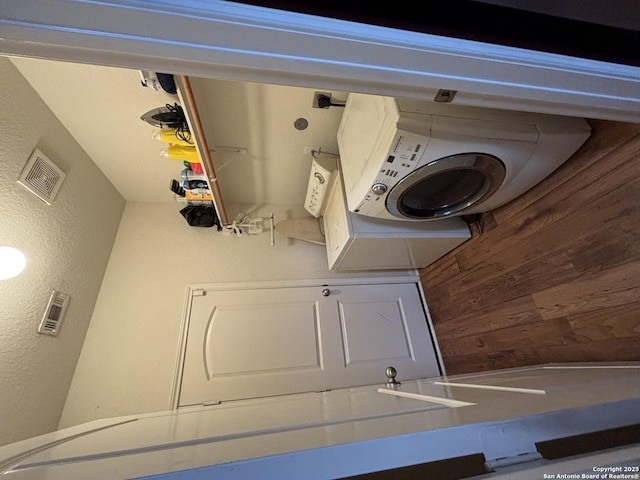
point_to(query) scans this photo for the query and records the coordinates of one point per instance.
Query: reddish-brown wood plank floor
(555, 274)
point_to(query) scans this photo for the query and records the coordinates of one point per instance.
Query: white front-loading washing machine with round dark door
(419, 160)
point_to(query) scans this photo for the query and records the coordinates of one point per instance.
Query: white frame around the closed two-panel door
(412, 278)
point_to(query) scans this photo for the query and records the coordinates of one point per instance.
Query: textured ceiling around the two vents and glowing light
(67, 246)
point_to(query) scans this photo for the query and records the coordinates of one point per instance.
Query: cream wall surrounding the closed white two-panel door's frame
(127, 362)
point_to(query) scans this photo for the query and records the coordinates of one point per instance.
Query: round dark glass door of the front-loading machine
(447, 186)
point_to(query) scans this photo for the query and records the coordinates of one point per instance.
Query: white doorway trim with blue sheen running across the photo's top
(227, 40)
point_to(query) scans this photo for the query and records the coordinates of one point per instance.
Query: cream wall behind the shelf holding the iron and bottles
(101, 108)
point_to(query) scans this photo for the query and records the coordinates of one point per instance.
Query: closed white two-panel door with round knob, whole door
(262, 342)
